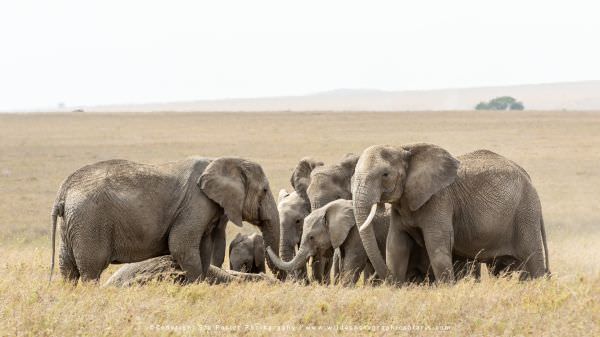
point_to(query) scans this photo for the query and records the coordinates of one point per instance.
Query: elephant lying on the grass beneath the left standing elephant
(165, 269)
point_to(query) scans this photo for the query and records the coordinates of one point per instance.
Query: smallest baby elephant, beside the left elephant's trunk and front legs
(246, 253)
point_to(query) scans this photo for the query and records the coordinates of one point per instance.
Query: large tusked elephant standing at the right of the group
(479, 206)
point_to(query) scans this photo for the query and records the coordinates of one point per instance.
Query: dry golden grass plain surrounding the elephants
(560, 150)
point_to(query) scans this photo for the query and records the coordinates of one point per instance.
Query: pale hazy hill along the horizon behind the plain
(553, 96)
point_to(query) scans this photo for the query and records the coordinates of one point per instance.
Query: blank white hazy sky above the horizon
(101, 52)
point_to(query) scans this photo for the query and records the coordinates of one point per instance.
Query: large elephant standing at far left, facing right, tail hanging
(118, 211)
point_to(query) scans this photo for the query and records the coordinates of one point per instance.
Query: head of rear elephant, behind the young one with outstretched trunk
(329, 183)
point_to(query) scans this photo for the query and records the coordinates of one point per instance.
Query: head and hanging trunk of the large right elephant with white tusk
(405, 176)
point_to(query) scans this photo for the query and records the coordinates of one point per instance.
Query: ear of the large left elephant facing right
(224, 182)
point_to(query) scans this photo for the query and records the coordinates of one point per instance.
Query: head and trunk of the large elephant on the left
(241, 188)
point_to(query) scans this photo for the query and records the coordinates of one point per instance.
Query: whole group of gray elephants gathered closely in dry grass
(396, 214)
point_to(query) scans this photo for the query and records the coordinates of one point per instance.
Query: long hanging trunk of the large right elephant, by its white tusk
(365, 199)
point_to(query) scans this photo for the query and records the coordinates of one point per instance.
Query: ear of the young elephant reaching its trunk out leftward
(339, 218)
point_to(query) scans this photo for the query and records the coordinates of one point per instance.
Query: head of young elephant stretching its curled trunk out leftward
(324, 229)
